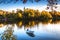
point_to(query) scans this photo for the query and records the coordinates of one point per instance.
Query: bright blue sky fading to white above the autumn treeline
(41, 5)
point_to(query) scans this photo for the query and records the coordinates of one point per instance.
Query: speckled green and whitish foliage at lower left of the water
(8, 33)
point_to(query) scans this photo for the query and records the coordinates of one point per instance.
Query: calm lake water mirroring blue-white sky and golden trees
(41, 31)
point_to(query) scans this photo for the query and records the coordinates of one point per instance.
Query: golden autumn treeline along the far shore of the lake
(29, 14)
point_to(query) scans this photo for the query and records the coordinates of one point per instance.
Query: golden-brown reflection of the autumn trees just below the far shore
(30, 24)
